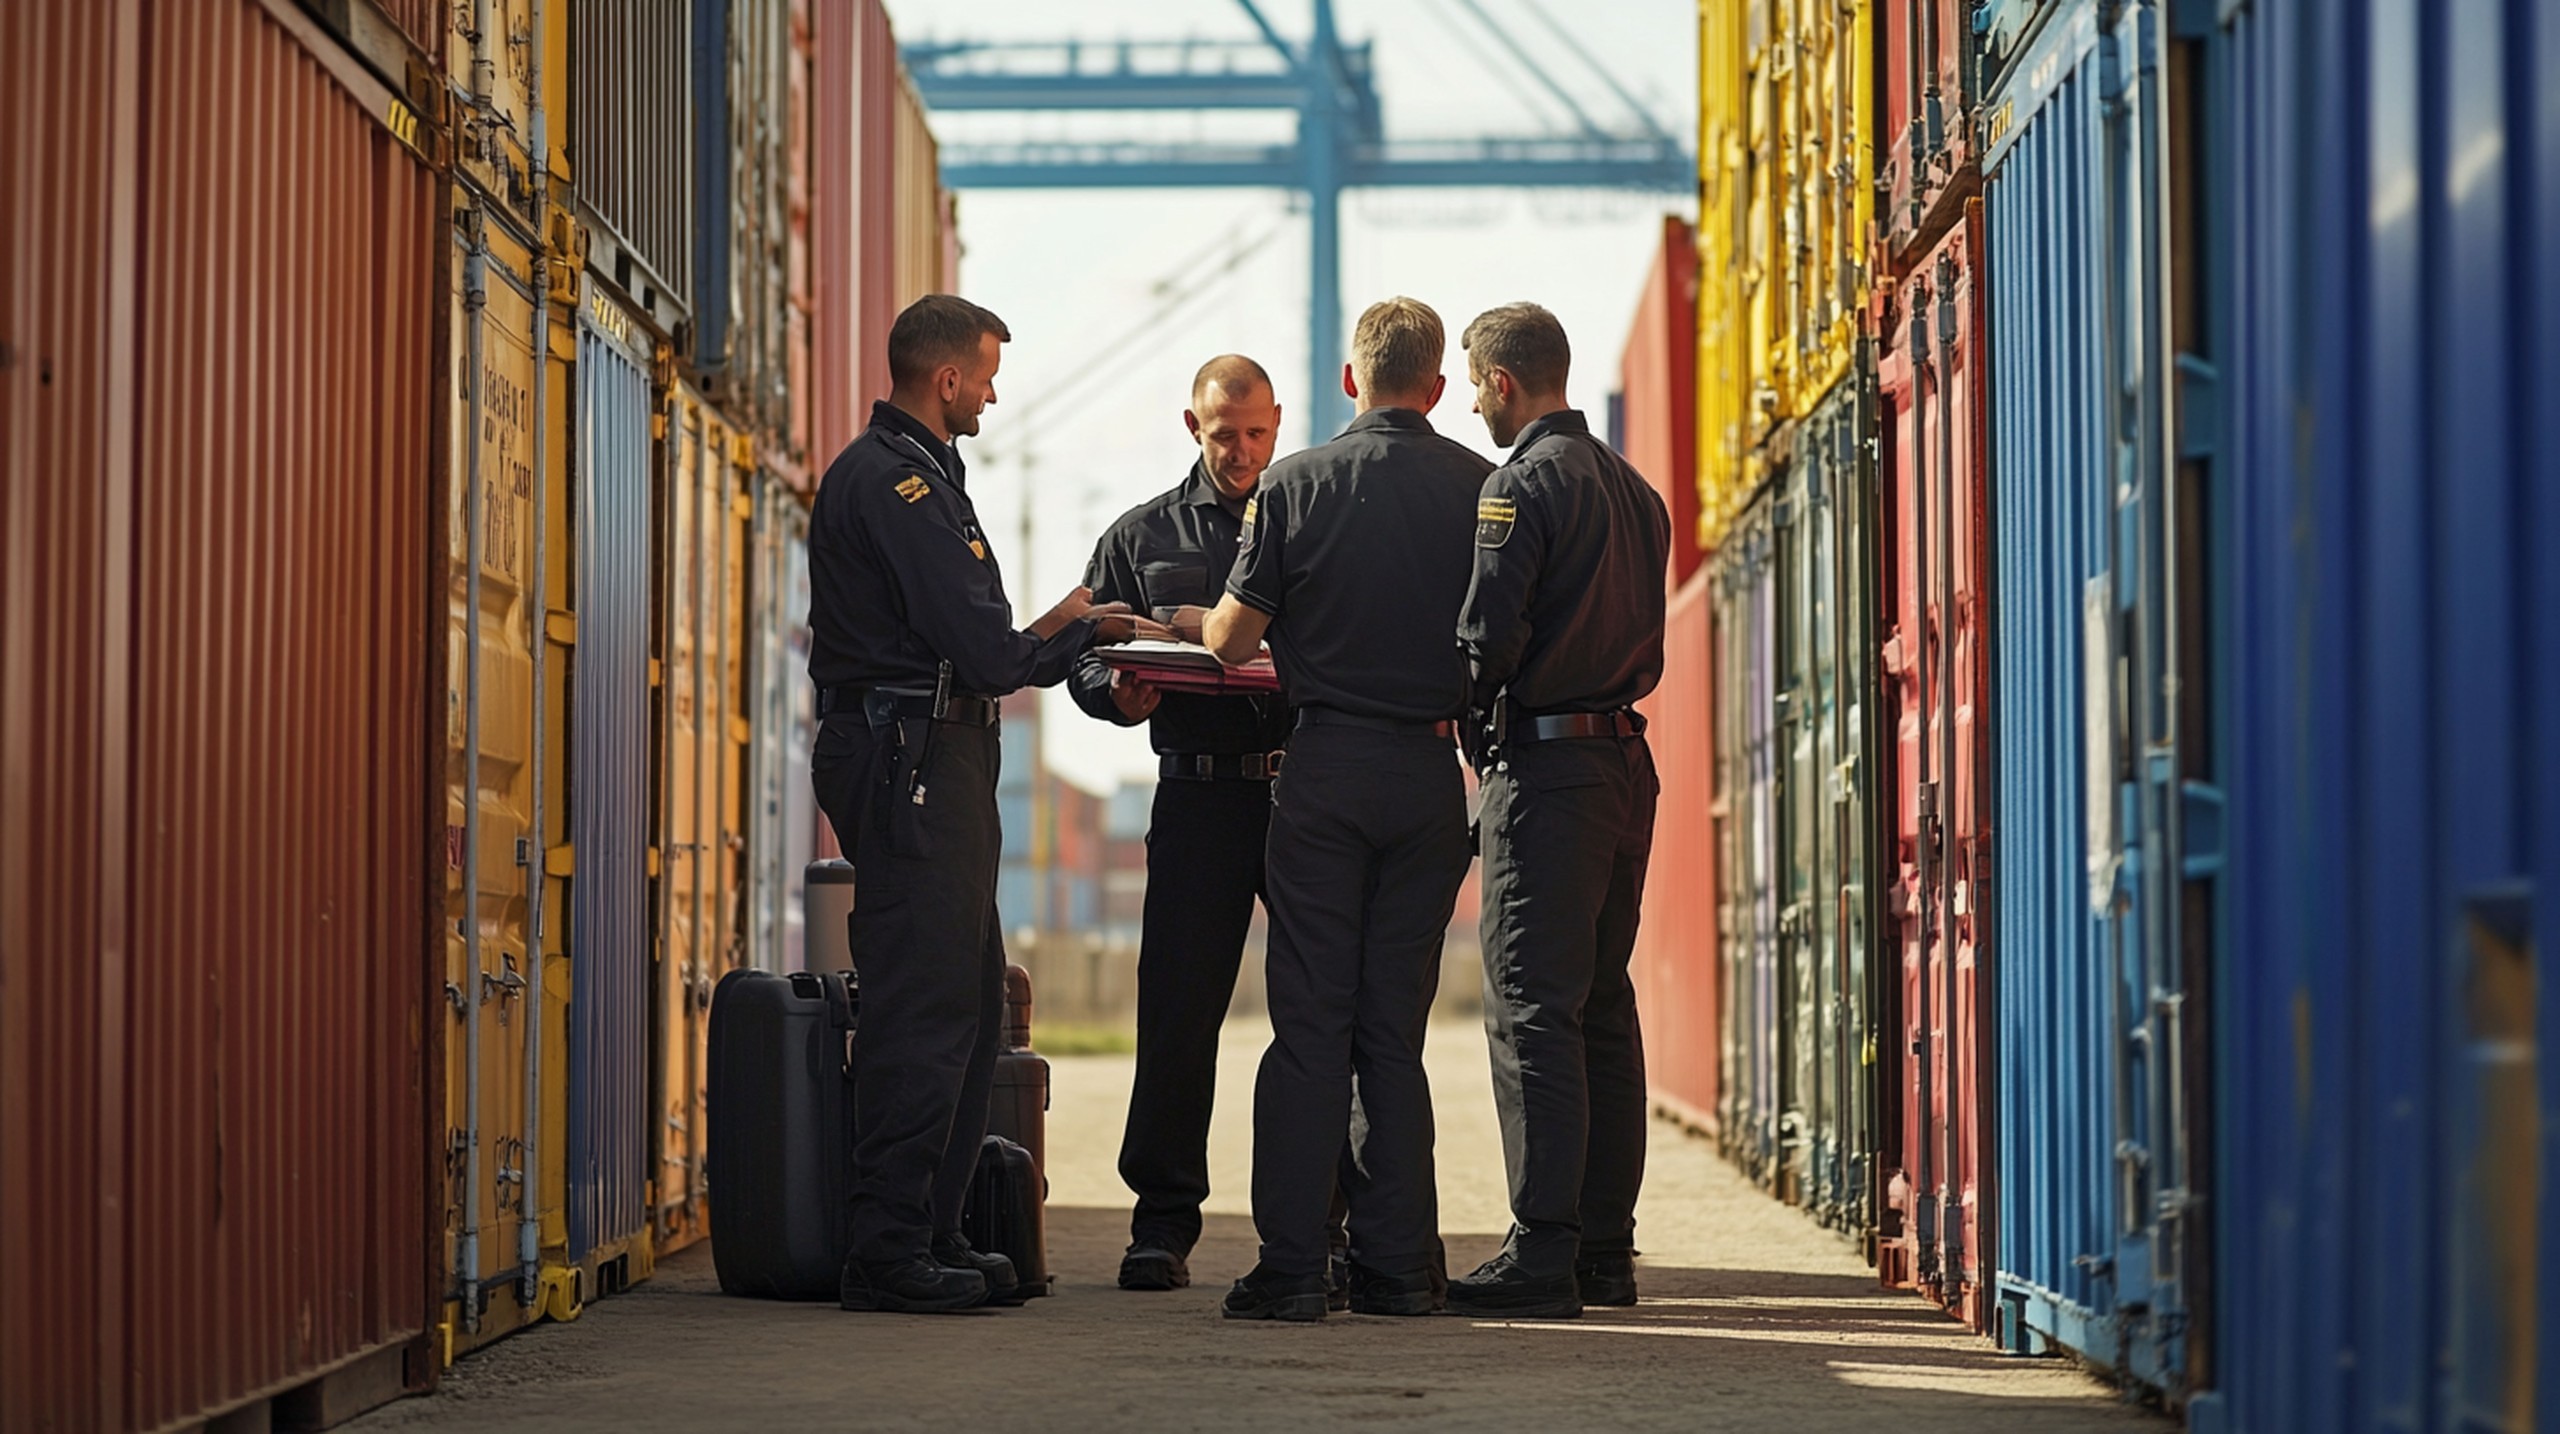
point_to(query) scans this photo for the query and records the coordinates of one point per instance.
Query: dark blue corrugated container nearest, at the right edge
(2385, 306)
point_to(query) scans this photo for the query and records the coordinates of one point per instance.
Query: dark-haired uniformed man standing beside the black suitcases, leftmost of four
(913, 644)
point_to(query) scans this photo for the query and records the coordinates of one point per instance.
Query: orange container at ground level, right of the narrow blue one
(703, 813)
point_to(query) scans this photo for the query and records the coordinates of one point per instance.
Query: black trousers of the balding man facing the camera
(1204, 872)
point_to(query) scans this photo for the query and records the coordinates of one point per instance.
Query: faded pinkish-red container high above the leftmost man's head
(882, 232)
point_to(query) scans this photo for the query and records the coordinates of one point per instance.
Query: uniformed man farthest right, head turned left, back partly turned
(1563, 634)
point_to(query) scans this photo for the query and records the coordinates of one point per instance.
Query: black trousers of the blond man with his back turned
(1368, 849)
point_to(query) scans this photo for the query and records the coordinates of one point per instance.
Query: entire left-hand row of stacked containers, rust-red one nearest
(413, 419)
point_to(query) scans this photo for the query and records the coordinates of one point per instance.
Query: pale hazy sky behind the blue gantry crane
(1074, 273)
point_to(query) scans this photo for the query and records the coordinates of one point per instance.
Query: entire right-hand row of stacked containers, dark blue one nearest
(2108, 864)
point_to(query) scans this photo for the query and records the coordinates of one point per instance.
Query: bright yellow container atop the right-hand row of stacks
(1786, 214)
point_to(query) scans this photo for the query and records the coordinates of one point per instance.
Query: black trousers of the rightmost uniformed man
(1568, 828)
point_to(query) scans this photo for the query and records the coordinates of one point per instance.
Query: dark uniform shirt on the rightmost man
(1571, 552)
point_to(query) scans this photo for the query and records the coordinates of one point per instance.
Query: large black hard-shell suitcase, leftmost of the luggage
(782, 1131)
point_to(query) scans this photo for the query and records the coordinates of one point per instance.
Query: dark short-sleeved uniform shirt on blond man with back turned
(1361, 552)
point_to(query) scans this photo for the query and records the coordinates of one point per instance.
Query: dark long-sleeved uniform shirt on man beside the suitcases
(905, 580)
